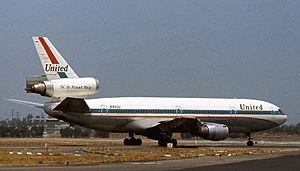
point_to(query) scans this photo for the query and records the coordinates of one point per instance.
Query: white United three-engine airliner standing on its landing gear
(73, 100)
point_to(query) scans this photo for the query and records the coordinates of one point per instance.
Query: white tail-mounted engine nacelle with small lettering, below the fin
(67, 87)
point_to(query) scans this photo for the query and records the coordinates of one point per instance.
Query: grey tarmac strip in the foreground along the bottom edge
(274, 162)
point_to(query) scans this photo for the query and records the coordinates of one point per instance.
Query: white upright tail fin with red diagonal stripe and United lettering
(54, 65)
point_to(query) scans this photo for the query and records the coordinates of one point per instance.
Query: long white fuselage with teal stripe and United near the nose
(126, 114)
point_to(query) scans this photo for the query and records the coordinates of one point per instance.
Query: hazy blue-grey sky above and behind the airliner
(243, 49)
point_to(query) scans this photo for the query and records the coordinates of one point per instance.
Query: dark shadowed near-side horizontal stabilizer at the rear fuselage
(73, 105)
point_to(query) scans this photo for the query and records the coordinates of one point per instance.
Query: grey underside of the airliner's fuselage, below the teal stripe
(121, 124)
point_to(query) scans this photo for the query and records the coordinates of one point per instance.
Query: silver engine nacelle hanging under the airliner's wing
(212, 131)
